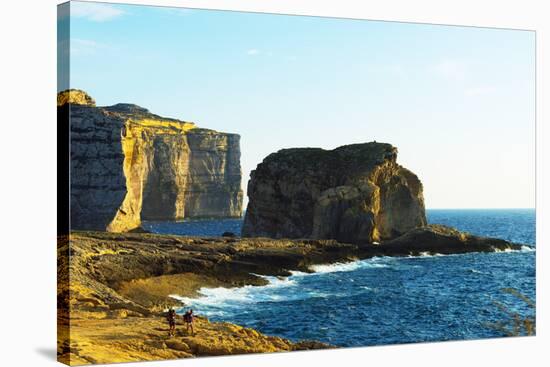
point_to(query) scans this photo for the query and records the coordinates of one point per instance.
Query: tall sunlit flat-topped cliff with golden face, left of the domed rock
(128, 165)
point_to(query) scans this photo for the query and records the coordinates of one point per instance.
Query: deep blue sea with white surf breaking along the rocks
(386, 300)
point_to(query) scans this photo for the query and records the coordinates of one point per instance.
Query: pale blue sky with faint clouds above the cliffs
(457, 102)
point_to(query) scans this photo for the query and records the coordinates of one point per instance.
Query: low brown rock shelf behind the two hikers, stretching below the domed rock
(138, 271)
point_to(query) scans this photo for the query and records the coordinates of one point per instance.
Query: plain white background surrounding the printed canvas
(28, 183)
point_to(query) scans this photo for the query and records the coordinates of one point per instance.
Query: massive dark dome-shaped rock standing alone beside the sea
(355, 193)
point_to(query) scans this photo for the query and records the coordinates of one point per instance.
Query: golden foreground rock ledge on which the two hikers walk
(137, 339)
